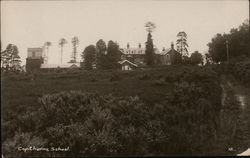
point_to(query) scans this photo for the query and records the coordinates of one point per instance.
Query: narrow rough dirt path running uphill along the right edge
(241, 130)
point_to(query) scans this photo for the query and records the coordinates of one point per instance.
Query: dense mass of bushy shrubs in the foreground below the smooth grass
(90, 125)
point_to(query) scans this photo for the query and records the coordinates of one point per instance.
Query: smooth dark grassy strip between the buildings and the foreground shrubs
(25, 89)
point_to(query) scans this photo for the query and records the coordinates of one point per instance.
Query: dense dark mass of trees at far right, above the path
(238, 40)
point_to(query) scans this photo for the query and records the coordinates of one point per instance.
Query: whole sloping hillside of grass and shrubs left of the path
(169, 110)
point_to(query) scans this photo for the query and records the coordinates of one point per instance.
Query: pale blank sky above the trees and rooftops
(29, 24)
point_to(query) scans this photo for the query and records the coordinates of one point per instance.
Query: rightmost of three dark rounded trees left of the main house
(113, 55)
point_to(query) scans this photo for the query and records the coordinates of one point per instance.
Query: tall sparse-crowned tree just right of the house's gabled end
(182, 44)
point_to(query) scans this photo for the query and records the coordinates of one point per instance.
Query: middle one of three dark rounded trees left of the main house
(100, 54)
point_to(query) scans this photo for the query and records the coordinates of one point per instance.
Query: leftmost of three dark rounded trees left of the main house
(89, 57)
